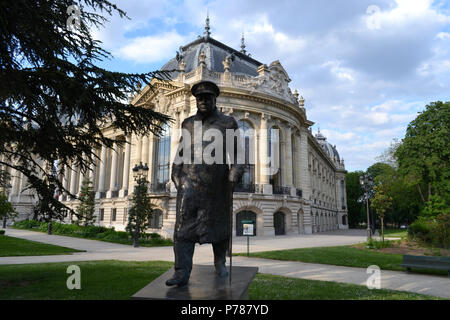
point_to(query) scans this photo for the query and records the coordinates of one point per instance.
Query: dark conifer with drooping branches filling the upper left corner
(54, 99)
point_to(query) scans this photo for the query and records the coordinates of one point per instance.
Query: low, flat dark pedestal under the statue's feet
(203, 284)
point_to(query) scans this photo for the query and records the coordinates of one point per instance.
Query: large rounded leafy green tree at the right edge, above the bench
(424, 154)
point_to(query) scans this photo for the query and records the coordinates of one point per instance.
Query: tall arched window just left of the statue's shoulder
(162, 159)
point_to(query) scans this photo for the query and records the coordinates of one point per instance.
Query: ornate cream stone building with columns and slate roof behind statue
(306, 195)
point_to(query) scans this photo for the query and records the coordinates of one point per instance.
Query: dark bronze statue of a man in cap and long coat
(204, 191)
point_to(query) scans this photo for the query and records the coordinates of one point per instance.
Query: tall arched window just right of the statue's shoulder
(247, 134)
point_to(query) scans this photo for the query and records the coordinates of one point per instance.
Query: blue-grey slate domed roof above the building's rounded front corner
(215, 52)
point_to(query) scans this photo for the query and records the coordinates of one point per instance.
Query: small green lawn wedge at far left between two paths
(10, 246)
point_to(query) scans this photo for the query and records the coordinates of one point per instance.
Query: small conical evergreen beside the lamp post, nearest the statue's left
(140, 212)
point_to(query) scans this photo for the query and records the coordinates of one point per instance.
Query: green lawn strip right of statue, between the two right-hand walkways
(341, 256)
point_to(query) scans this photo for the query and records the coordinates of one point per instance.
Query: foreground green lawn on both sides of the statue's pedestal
(121, 279)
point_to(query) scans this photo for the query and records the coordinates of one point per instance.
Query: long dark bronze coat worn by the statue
(203, 197)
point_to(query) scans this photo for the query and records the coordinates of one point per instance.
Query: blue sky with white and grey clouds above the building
(364, 67)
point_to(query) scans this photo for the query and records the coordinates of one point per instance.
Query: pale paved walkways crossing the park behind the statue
(99, 250)
